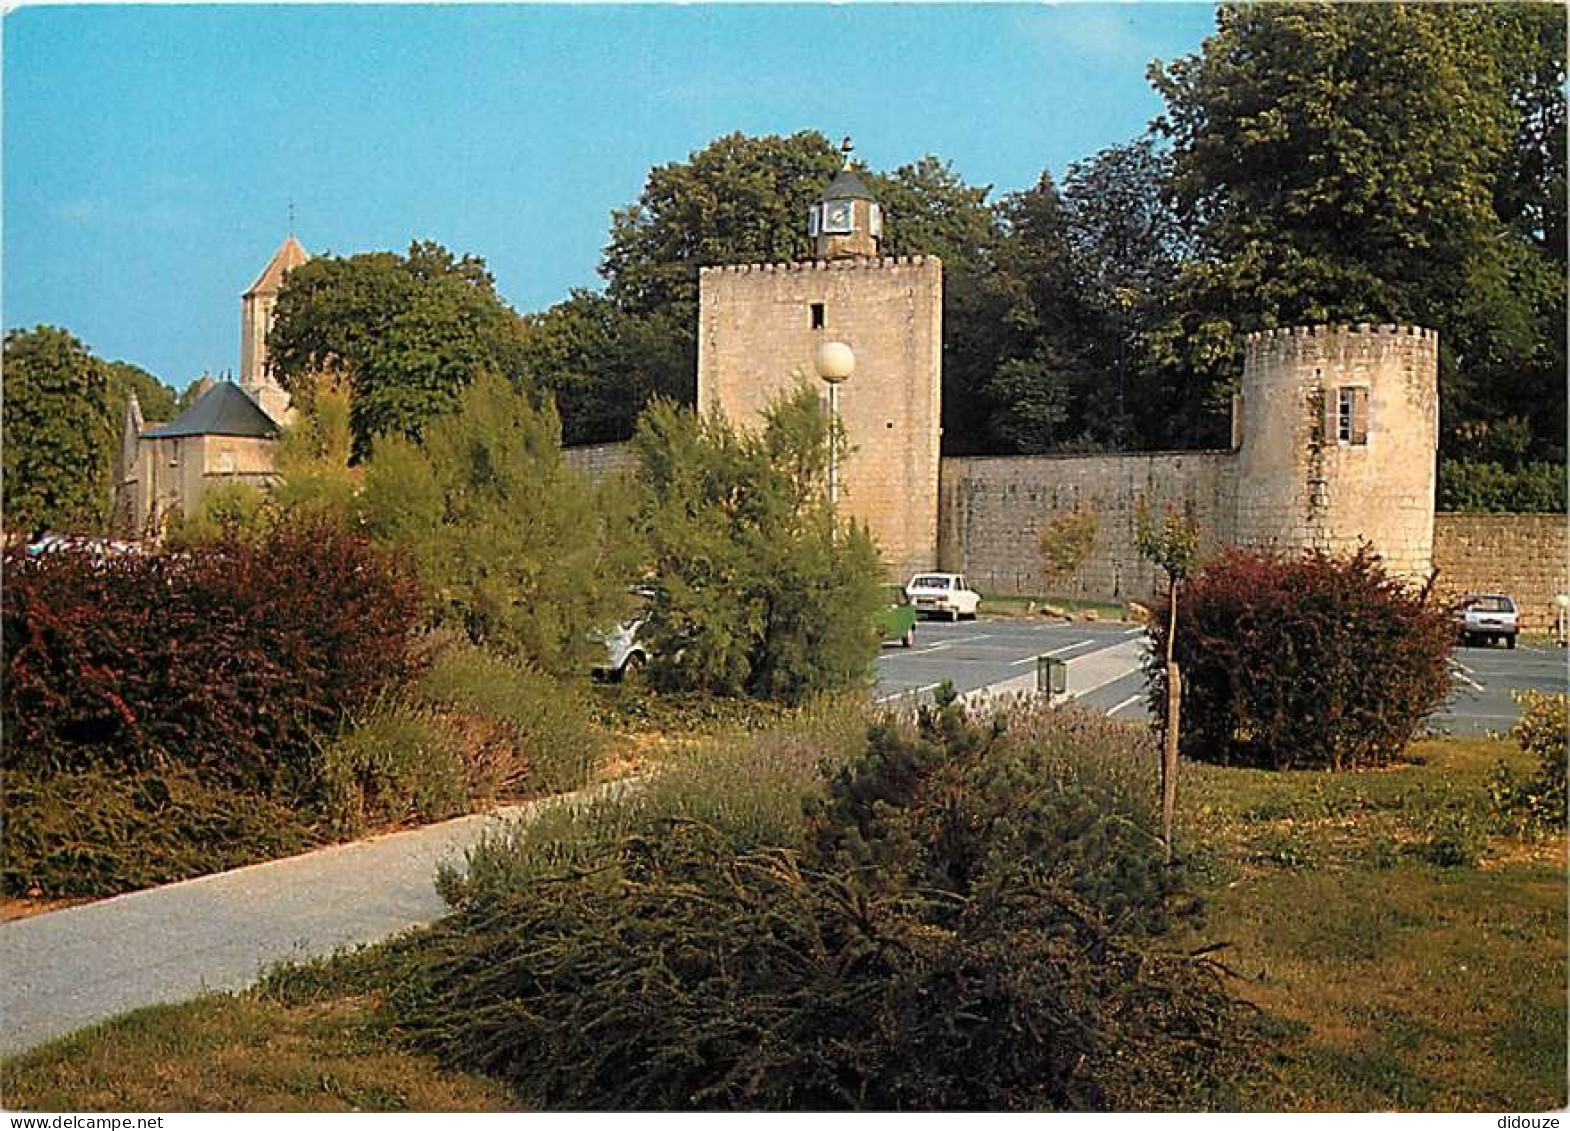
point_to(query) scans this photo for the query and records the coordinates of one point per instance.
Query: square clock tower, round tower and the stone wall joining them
(1334, 442)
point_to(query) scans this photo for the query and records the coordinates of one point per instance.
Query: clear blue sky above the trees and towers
(152, 153)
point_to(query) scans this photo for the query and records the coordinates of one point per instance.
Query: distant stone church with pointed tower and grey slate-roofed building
(228, 433)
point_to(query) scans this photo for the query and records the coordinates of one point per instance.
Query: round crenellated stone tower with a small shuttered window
(1340, 437)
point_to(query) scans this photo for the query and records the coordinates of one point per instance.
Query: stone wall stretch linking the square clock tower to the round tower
(993, 511)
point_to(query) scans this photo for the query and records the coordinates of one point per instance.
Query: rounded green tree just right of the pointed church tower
(407, 332)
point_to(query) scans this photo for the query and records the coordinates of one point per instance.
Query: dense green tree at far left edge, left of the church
(56, 445)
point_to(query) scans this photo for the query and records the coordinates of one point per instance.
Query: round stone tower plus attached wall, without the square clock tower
(1335, 444)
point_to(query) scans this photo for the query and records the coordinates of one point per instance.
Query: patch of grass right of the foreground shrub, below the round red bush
(1406, 956)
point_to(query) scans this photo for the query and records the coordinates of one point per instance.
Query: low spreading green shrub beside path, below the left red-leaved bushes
(101, 832)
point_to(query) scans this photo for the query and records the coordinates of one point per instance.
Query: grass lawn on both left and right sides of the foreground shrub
(1403, 956)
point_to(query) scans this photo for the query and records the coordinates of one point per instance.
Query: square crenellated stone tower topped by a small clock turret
(761, 324)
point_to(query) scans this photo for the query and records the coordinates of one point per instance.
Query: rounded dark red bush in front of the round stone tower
(1309, 662)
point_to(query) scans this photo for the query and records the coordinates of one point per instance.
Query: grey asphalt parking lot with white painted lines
(1106, 668)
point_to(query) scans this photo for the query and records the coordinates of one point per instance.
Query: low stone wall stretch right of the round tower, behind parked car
(1527, 557)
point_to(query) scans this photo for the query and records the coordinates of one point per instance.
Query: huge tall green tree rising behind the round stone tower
(1345, 164)
